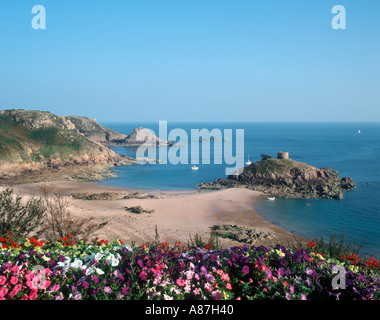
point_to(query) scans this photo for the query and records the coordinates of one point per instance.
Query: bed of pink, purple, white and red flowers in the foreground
(105, 270)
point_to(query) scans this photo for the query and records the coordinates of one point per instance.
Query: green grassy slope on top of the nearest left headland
(25, 138)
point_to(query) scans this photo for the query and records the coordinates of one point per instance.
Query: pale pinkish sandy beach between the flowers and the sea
(178, 215)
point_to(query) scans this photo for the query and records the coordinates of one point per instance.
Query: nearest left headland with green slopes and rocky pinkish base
(34, 141)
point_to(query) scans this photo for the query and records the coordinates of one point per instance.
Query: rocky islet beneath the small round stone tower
(287, 178)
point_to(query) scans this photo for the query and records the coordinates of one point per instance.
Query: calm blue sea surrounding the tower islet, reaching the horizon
(335, 145)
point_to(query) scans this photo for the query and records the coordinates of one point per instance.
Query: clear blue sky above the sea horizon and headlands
(192, 60)
